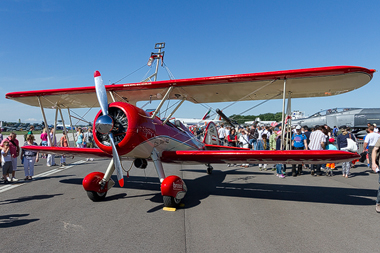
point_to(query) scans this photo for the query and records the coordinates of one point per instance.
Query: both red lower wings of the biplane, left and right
(219, 156)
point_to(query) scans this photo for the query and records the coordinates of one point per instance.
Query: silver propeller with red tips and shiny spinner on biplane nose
(104, 124)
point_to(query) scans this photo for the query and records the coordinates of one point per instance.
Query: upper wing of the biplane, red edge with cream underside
(312, 82)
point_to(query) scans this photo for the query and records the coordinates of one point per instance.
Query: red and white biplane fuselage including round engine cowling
(141, 133)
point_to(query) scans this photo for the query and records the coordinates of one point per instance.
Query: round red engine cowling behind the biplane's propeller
(131, 127)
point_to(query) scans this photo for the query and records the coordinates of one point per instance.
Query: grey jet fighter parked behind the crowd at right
(351, 117)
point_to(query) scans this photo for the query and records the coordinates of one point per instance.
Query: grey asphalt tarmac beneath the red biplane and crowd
(233, 210)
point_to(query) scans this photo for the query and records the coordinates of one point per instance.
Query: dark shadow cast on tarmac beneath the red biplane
(215, 184)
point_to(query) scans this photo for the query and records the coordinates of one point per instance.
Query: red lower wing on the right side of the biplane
(254, 156)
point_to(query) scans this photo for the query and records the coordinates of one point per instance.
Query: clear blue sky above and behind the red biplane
(56, 44)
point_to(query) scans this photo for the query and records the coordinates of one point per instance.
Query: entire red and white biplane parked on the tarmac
(124, 131)
